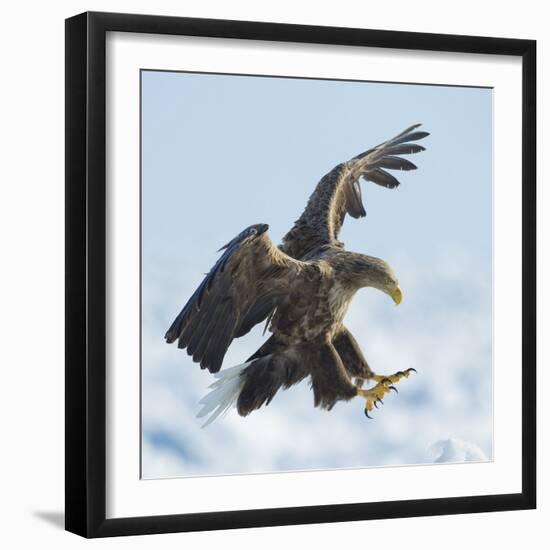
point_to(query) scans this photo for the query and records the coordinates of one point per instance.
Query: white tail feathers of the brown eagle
(224, 393)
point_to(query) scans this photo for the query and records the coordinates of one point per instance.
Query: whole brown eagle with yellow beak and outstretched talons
(302, 289)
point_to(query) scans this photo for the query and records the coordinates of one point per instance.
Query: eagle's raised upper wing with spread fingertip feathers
(339, 192)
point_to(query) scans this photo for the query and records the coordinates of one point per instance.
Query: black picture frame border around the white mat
(86, 269)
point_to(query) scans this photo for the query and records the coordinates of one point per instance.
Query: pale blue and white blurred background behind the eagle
(222, 152)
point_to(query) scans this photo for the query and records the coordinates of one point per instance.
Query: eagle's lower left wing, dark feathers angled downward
(250, 270)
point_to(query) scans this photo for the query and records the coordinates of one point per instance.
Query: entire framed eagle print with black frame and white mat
(338, 173)
